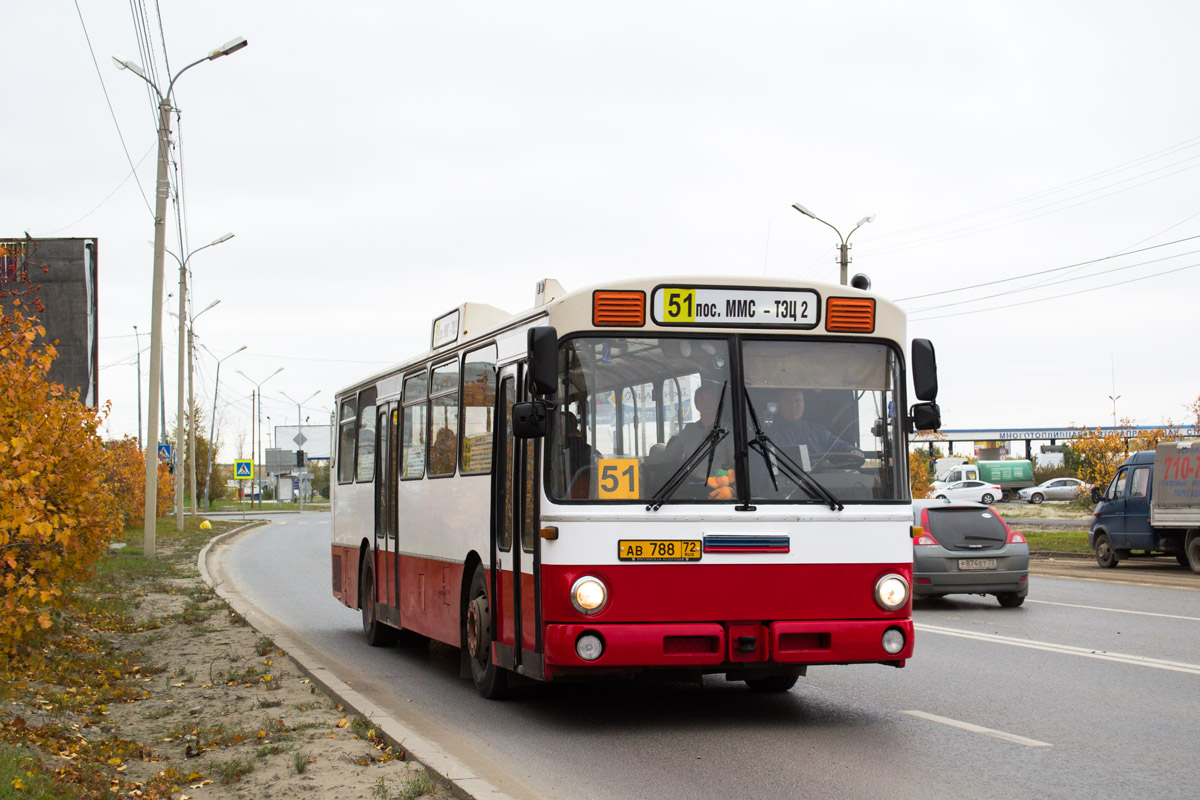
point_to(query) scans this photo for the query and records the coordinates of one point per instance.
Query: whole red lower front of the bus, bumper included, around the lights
(709, 616)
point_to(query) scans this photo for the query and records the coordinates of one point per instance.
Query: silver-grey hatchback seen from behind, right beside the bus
(968, 549)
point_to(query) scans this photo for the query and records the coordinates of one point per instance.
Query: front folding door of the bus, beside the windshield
(517, 545)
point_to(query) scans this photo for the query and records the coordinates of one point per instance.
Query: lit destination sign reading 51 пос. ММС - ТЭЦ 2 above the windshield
(742, 308)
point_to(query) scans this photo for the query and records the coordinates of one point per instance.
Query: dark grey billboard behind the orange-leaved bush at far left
(68, 290)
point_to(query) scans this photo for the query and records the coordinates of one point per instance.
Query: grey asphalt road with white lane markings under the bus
(1089, 690)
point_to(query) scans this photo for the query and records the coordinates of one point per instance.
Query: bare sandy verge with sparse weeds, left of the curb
(236, 718)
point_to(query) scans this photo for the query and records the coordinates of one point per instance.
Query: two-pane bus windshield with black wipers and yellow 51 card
(724, 419)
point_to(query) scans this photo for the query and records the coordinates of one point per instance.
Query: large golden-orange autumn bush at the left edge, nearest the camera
(57, 516)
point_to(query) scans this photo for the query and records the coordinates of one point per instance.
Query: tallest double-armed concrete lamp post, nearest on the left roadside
(160, 230)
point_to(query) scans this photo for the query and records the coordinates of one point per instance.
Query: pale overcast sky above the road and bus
(383, 163)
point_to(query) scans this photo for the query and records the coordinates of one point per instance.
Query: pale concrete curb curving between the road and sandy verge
(448, 769)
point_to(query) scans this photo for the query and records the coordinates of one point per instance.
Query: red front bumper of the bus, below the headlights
(734, 645)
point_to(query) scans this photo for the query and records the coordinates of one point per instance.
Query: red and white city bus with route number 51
(673, 477)
